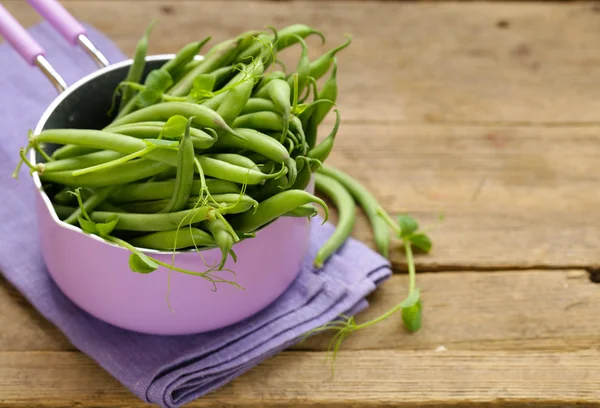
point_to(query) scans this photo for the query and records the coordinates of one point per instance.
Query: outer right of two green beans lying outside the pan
(368, 202)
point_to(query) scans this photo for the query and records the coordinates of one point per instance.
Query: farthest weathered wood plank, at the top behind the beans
(421, 62)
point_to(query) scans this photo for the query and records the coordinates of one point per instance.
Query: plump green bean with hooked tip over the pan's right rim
(274, 207)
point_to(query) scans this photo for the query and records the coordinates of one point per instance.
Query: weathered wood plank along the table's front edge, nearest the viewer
(303, 379)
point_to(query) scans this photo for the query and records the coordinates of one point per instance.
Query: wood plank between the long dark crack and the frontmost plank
(495, 311)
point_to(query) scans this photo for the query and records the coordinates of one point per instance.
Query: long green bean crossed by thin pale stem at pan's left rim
(125, 173)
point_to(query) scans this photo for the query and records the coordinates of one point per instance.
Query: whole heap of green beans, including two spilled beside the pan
(203, 153)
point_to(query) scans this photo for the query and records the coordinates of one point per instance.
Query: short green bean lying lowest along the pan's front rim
(174, 239)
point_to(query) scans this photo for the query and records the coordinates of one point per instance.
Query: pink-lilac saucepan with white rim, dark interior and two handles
(95, 274)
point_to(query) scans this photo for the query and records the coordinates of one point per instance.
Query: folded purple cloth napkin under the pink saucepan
(166, 370)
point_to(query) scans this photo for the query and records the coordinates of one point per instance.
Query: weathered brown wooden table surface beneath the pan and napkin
(487, 112)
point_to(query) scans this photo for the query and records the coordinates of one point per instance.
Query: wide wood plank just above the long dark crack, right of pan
(512, 197)
